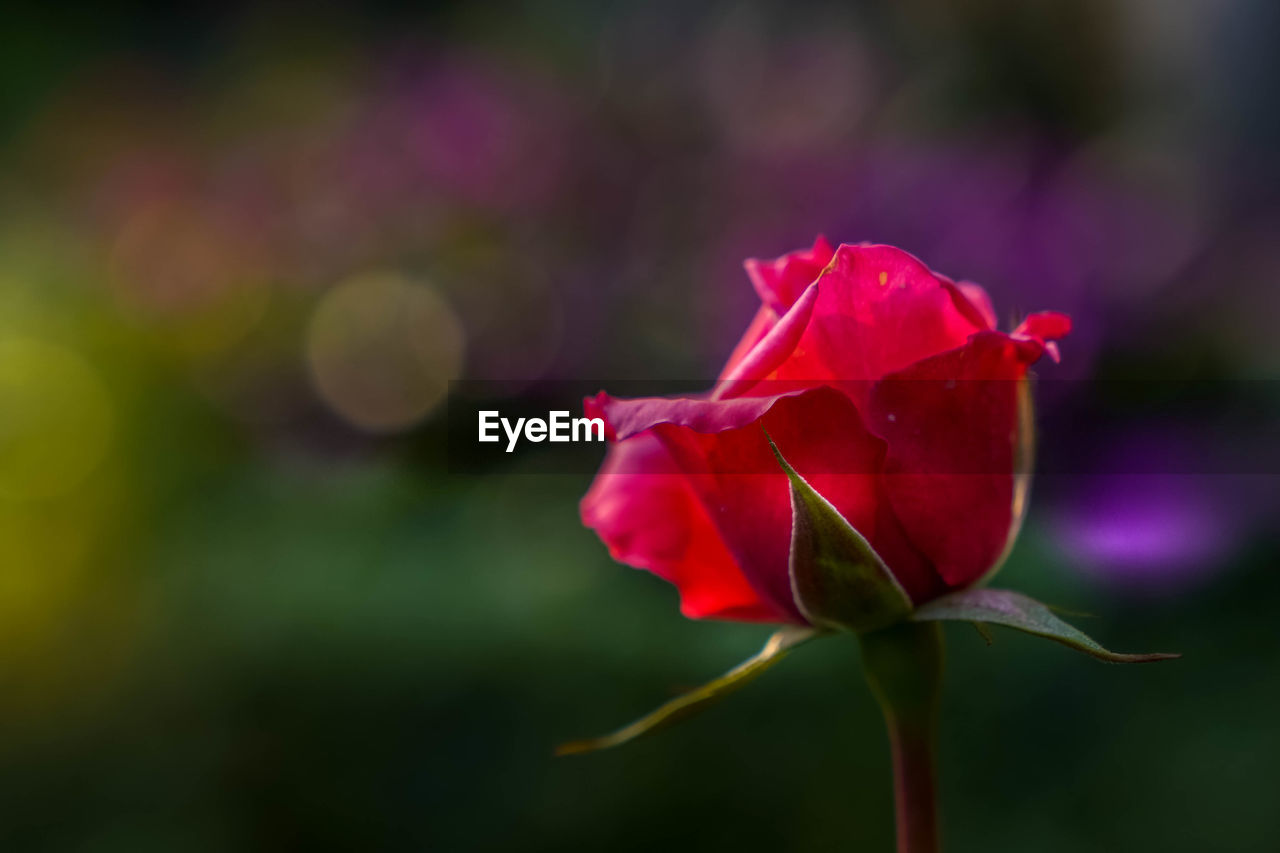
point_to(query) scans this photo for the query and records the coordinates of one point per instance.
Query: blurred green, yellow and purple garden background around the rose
(245, 604)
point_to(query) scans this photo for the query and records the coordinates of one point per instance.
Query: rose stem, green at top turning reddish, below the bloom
(904, 669)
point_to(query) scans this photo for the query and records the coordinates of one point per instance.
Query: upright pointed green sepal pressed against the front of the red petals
(838, 580)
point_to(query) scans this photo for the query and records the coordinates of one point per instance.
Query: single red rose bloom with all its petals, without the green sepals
(885, 385)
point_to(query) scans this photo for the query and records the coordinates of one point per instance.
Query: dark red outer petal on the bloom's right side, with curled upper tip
(953, 428)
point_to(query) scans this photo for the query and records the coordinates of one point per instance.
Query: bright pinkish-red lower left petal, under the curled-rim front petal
(647, 514)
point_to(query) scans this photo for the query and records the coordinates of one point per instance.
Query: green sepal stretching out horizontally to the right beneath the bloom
(1016, 610)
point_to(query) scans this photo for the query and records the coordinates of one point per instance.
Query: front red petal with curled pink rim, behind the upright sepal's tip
(723, 449)
